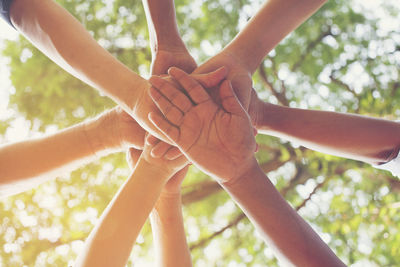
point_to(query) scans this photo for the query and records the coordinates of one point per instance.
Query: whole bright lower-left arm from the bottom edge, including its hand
(111, 241)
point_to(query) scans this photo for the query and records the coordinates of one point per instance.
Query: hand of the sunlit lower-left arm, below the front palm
(170, 167)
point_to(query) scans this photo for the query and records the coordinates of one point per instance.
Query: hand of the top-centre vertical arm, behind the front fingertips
(164, 59)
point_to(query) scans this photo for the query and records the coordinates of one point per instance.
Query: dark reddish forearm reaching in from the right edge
(352, 136)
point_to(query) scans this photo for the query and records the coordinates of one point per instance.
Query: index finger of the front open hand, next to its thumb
(194, 89)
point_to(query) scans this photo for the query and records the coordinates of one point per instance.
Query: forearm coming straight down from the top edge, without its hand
(161, 20)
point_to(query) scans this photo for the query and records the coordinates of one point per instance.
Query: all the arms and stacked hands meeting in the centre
(204, 115)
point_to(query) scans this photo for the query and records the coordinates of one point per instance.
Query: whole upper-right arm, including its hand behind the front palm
(242, 56)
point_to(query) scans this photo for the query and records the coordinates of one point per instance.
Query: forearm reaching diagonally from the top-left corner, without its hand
(63, 39)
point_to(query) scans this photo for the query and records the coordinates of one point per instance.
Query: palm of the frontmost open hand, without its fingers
(217, 145)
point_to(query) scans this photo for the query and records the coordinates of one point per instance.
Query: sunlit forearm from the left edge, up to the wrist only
(38, 158)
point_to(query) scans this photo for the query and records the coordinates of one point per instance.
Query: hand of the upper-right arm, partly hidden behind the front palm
(239, 76)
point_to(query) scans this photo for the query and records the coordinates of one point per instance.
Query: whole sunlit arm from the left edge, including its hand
(28, 163)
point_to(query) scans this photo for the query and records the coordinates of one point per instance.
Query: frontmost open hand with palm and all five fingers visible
(219, 140)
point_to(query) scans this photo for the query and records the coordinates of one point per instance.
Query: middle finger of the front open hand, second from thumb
(173, 94)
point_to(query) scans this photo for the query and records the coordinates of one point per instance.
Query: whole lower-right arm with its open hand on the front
(221, 143)
